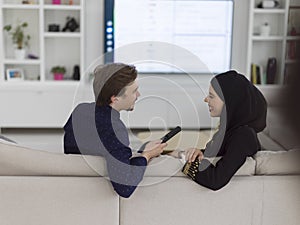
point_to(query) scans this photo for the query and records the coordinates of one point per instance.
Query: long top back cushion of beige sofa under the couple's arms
(21, 161)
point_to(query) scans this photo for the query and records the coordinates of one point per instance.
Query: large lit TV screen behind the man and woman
(201, 27)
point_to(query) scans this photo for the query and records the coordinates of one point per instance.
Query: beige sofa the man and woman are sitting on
(38, 187)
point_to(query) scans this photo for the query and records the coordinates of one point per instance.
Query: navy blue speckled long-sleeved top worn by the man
(98, 130)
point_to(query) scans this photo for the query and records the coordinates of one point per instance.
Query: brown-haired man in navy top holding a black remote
(96, 128)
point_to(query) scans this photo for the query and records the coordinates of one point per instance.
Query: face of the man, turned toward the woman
(127, 100)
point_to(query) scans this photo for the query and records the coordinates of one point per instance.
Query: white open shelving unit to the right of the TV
(261, 48)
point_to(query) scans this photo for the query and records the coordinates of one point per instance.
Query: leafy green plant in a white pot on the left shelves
(19, 38)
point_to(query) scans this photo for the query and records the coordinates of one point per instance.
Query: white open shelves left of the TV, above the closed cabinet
(52, 48)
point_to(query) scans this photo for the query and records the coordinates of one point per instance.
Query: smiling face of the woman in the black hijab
(215, 104)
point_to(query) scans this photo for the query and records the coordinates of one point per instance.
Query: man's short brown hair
(111, 80)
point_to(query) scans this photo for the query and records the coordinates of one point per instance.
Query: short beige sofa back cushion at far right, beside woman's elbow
(278, 163)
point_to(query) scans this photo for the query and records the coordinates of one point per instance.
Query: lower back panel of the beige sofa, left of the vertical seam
(57, 201)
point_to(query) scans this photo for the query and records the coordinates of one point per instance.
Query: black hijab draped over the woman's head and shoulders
(244, 106)
